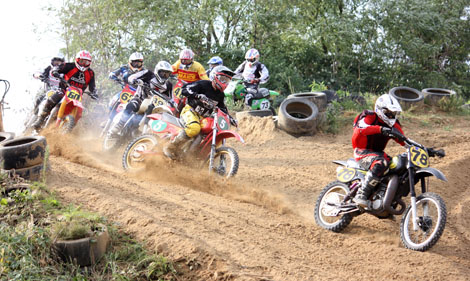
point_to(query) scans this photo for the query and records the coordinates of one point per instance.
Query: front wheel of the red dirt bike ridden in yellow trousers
(225, 162)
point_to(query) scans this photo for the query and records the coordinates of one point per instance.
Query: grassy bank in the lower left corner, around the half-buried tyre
(27, 222)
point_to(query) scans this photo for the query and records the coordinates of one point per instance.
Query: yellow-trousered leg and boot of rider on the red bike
(192, 127)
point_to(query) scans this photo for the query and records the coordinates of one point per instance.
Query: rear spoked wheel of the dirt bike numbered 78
(326, 214)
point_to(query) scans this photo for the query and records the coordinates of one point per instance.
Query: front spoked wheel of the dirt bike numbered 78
(431, 215)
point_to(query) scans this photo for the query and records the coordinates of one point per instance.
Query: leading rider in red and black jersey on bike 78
(372, 131)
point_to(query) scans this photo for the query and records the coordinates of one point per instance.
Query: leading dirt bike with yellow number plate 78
(423, 221)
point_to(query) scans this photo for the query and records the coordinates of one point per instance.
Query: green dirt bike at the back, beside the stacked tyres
(237, 91)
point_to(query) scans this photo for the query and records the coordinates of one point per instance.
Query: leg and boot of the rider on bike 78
(377, 167)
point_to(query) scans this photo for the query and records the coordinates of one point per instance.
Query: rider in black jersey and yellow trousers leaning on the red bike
(200, 94)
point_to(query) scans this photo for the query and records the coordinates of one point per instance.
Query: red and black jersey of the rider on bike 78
(367, 132)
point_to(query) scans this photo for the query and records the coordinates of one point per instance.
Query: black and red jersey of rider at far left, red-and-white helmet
(77, 78)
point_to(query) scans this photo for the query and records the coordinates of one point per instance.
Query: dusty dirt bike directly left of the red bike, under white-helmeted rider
(157, 103)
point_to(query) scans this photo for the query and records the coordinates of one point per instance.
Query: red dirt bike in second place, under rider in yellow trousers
(209, 146)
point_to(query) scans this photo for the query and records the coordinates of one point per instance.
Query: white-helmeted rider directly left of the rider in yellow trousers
(157, 80)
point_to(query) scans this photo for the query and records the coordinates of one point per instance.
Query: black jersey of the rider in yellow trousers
(203, 87)
